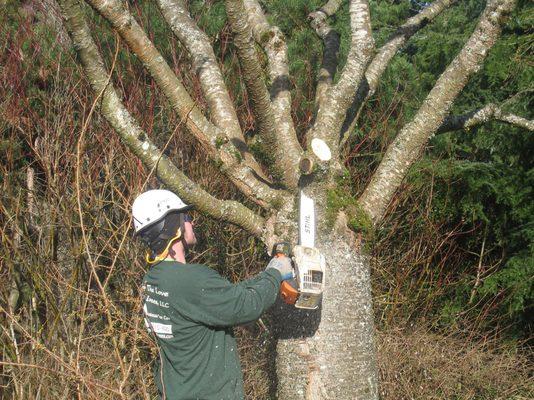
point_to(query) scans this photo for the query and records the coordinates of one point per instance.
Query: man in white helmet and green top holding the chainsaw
(191, 309)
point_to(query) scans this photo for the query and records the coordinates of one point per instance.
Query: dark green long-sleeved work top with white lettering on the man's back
(191, 309)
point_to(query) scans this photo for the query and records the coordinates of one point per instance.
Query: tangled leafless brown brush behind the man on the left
(70, 307)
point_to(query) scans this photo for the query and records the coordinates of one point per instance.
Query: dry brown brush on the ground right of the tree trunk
(423, 365)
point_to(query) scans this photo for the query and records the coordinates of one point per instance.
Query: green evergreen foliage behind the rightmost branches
(483, 177)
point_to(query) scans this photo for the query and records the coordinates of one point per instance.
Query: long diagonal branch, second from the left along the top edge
(232, 153)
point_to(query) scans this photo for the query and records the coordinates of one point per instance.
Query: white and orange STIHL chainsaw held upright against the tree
(305, 289)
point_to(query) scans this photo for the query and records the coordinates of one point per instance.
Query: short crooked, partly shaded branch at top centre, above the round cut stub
(331, 46)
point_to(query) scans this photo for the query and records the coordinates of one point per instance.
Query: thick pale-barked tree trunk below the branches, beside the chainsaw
(329, 353)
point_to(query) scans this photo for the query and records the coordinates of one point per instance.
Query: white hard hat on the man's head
(152, 206)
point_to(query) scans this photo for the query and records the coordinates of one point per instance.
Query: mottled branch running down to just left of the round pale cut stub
(273, 42)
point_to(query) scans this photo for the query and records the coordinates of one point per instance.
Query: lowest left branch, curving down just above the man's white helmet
(134, 137)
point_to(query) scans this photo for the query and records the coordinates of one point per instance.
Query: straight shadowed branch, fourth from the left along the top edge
(286, 155)
